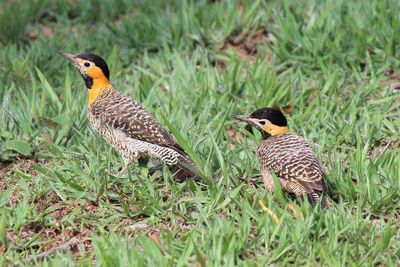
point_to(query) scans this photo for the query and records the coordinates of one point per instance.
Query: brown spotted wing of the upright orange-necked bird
(123, 113)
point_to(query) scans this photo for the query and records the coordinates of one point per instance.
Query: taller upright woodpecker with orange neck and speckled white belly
(120, 120)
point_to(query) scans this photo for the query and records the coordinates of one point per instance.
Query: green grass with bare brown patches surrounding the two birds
(193, 65)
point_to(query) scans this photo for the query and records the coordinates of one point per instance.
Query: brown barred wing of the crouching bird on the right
(290, 158)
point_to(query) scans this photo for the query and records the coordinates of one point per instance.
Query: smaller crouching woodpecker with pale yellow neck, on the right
(288, 156)
